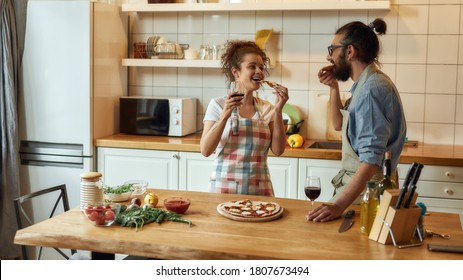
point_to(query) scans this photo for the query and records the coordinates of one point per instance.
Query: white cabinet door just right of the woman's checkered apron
(283, 172)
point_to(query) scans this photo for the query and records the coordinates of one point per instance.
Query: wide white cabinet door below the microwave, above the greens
(159, 168)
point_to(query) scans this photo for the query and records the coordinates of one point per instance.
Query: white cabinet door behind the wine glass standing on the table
(325, 169)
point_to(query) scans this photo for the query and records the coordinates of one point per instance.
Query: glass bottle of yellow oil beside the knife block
(368, 208)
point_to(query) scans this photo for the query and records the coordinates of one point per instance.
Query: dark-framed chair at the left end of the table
(24, 214)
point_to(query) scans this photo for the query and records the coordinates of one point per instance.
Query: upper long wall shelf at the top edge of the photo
(283, 6)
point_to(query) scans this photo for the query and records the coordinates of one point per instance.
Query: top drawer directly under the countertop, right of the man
(435, 173)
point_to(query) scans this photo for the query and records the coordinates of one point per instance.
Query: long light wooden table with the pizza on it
(213, 236)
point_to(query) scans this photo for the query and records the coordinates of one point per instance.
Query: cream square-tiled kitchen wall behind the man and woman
(422, 53)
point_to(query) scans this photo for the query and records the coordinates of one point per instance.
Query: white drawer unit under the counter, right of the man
(440, 188)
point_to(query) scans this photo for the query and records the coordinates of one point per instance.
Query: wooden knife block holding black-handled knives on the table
(402, 221)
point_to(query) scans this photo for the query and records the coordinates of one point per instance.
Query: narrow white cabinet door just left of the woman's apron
(195, 171)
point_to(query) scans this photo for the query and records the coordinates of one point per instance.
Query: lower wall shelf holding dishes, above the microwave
(198, 63)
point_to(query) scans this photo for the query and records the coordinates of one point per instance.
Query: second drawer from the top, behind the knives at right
(440, 189)
